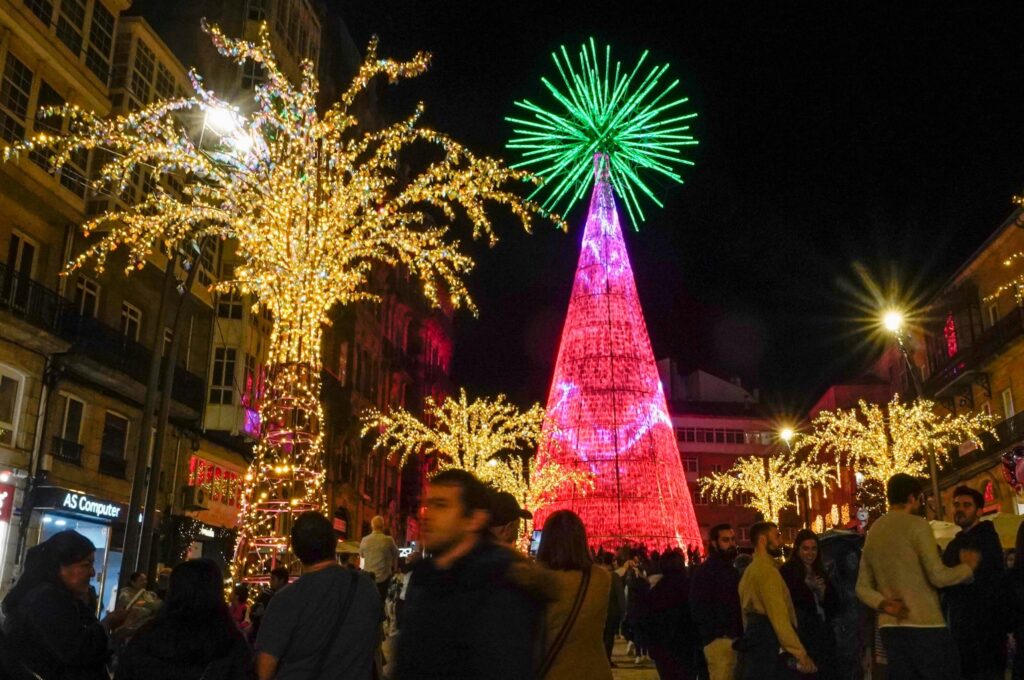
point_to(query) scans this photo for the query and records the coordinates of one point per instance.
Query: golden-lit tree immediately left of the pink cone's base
(488, 438)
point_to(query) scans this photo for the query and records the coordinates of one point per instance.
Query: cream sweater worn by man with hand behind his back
(902, 561)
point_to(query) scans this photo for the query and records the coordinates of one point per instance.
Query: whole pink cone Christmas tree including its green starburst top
(607, 410)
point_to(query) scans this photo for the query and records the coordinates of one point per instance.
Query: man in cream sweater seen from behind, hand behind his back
(901, 572)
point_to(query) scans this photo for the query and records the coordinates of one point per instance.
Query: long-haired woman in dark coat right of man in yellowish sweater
(815, 600)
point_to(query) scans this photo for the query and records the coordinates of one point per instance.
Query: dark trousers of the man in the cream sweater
(921, 654)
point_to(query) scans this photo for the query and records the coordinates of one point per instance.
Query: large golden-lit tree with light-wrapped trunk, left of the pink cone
(314, 201)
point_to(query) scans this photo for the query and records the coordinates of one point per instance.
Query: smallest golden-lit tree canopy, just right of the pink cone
(771, 483)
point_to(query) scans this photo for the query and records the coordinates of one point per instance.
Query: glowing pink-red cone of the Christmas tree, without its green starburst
(607, 409)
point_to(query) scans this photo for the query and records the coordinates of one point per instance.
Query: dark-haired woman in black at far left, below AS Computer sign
(50, 628)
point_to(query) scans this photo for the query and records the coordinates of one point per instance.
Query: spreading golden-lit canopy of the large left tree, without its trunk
(313, 200)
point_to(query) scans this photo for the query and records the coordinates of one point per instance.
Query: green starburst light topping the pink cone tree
(632, 122)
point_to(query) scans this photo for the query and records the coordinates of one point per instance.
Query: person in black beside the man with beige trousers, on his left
(673, 642)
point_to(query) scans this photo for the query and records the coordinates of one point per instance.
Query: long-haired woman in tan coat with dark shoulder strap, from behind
(574, 621)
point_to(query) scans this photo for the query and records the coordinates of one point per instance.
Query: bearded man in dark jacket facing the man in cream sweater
(970, 608)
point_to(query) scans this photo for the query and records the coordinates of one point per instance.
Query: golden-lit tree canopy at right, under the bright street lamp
(879, 442)
